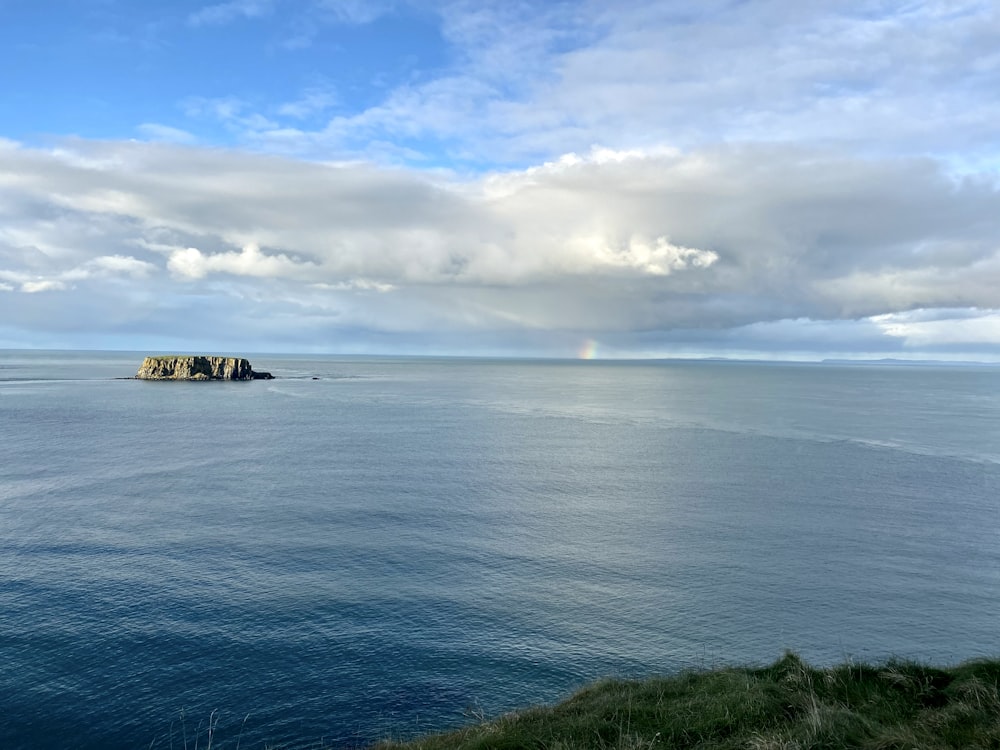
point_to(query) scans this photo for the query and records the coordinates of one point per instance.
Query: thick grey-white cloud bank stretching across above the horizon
(638, 247)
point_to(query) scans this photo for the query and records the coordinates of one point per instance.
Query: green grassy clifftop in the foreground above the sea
(785, 706)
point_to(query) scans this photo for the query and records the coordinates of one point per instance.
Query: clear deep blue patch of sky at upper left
(116, 69)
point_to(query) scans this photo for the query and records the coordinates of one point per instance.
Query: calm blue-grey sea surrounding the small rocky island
(376, 547)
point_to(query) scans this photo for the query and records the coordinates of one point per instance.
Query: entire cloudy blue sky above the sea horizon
(666, 178)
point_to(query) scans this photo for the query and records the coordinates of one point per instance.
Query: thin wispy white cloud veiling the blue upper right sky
(528, 81)
